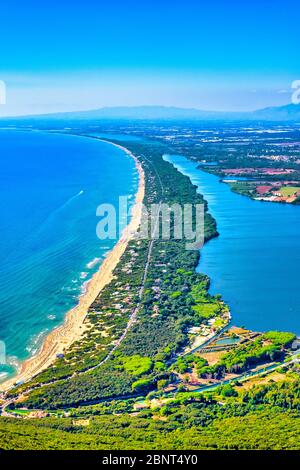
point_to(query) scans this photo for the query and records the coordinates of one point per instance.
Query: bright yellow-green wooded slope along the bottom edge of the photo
(261, 430)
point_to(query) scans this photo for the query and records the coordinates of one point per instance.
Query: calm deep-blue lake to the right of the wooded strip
(255, 261)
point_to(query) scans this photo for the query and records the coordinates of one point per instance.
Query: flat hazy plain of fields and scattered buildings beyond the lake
(259, 162)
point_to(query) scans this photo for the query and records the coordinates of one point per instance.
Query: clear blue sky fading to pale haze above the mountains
(84, 54)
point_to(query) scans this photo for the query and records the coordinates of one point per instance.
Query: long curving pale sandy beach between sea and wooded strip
(61, 338)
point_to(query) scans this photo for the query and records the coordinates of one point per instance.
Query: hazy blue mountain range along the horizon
(287, 113)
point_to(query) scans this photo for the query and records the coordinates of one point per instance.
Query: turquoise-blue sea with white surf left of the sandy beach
(50, 187)
